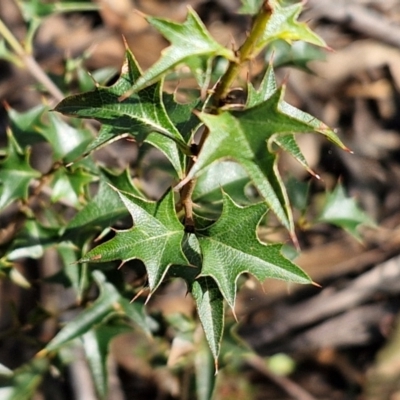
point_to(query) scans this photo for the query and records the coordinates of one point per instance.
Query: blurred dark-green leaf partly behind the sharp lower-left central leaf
(104, 209)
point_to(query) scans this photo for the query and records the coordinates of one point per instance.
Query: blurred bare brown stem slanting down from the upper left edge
(30, 63)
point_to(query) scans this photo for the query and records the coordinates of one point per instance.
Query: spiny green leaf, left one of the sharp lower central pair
(155, 238)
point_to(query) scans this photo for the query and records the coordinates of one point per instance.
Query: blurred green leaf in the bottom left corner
(23, 383)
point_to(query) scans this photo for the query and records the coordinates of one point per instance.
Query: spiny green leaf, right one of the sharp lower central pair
(227, 254)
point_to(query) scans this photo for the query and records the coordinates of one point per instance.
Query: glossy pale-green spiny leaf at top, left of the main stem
(189, 39)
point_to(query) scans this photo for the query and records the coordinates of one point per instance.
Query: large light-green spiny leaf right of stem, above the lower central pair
(246, 137)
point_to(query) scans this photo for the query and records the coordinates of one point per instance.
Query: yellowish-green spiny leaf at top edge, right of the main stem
(283, 25)
